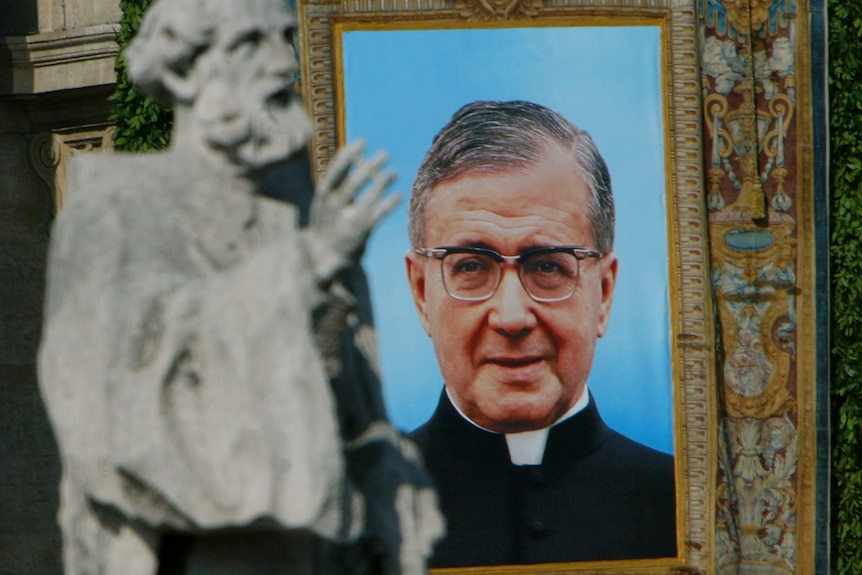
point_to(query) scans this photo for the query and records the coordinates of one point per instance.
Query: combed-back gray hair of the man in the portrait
(488, 136)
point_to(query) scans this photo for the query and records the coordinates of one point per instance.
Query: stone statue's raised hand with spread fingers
(341, 219)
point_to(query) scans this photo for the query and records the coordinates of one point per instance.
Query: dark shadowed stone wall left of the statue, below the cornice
(30, 540)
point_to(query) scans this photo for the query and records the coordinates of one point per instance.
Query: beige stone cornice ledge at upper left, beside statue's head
(52, 61)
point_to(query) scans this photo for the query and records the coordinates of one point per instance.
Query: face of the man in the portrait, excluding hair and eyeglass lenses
(510, 363)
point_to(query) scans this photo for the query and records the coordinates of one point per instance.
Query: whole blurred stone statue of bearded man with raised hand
(207, 359)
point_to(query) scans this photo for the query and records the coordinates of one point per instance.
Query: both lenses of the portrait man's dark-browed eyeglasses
(546, 276)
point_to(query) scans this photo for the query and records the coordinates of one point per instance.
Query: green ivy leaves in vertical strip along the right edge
(845, 102)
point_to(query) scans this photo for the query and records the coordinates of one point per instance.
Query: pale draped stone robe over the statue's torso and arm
(178, 362)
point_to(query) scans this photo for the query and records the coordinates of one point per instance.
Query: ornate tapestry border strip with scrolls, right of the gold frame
(748, 73)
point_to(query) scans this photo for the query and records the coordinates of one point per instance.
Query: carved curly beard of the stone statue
(256, 128)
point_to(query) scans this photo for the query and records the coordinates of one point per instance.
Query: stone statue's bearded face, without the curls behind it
(245, 98)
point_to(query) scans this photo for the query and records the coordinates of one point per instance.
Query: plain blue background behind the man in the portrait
(400, 87)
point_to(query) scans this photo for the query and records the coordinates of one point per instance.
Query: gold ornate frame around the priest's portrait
(322, 22)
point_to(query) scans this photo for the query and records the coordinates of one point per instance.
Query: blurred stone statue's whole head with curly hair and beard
(227, 67)
